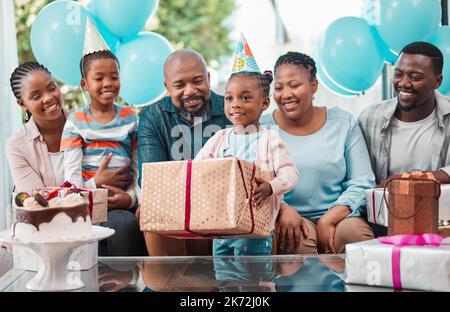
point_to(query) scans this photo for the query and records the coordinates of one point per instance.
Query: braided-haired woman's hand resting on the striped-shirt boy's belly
(120, 177)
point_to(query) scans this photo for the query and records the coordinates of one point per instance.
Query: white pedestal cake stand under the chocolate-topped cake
(53, 274)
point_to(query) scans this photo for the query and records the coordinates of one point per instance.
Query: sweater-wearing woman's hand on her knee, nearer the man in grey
(326, 227)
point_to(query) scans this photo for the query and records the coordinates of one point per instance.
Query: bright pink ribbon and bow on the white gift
(403, 240)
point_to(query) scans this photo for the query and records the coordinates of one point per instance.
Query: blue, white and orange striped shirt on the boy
(86, 142)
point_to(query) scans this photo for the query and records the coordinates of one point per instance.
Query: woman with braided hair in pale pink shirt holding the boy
(35, 159)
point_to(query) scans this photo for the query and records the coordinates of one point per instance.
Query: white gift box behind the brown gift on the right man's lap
(378, 214)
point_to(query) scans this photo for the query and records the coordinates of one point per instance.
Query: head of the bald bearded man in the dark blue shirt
(186, 79)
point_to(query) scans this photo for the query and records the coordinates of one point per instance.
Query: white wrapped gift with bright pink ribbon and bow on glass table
(402, 261)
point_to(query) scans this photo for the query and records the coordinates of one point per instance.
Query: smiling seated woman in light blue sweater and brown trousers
(322, 213)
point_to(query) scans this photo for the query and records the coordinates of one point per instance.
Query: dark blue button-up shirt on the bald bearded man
(165, 135)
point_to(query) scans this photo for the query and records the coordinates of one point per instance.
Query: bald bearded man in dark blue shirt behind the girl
(176, 128)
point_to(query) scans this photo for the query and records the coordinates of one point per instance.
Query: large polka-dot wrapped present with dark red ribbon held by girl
(203, 198)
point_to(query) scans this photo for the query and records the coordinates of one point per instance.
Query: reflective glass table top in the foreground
(283, 273)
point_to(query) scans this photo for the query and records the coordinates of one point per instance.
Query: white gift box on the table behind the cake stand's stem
(82, 258)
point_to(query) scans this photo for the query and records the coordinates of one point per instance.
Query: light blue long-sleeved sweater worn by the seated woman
(333, 163)
